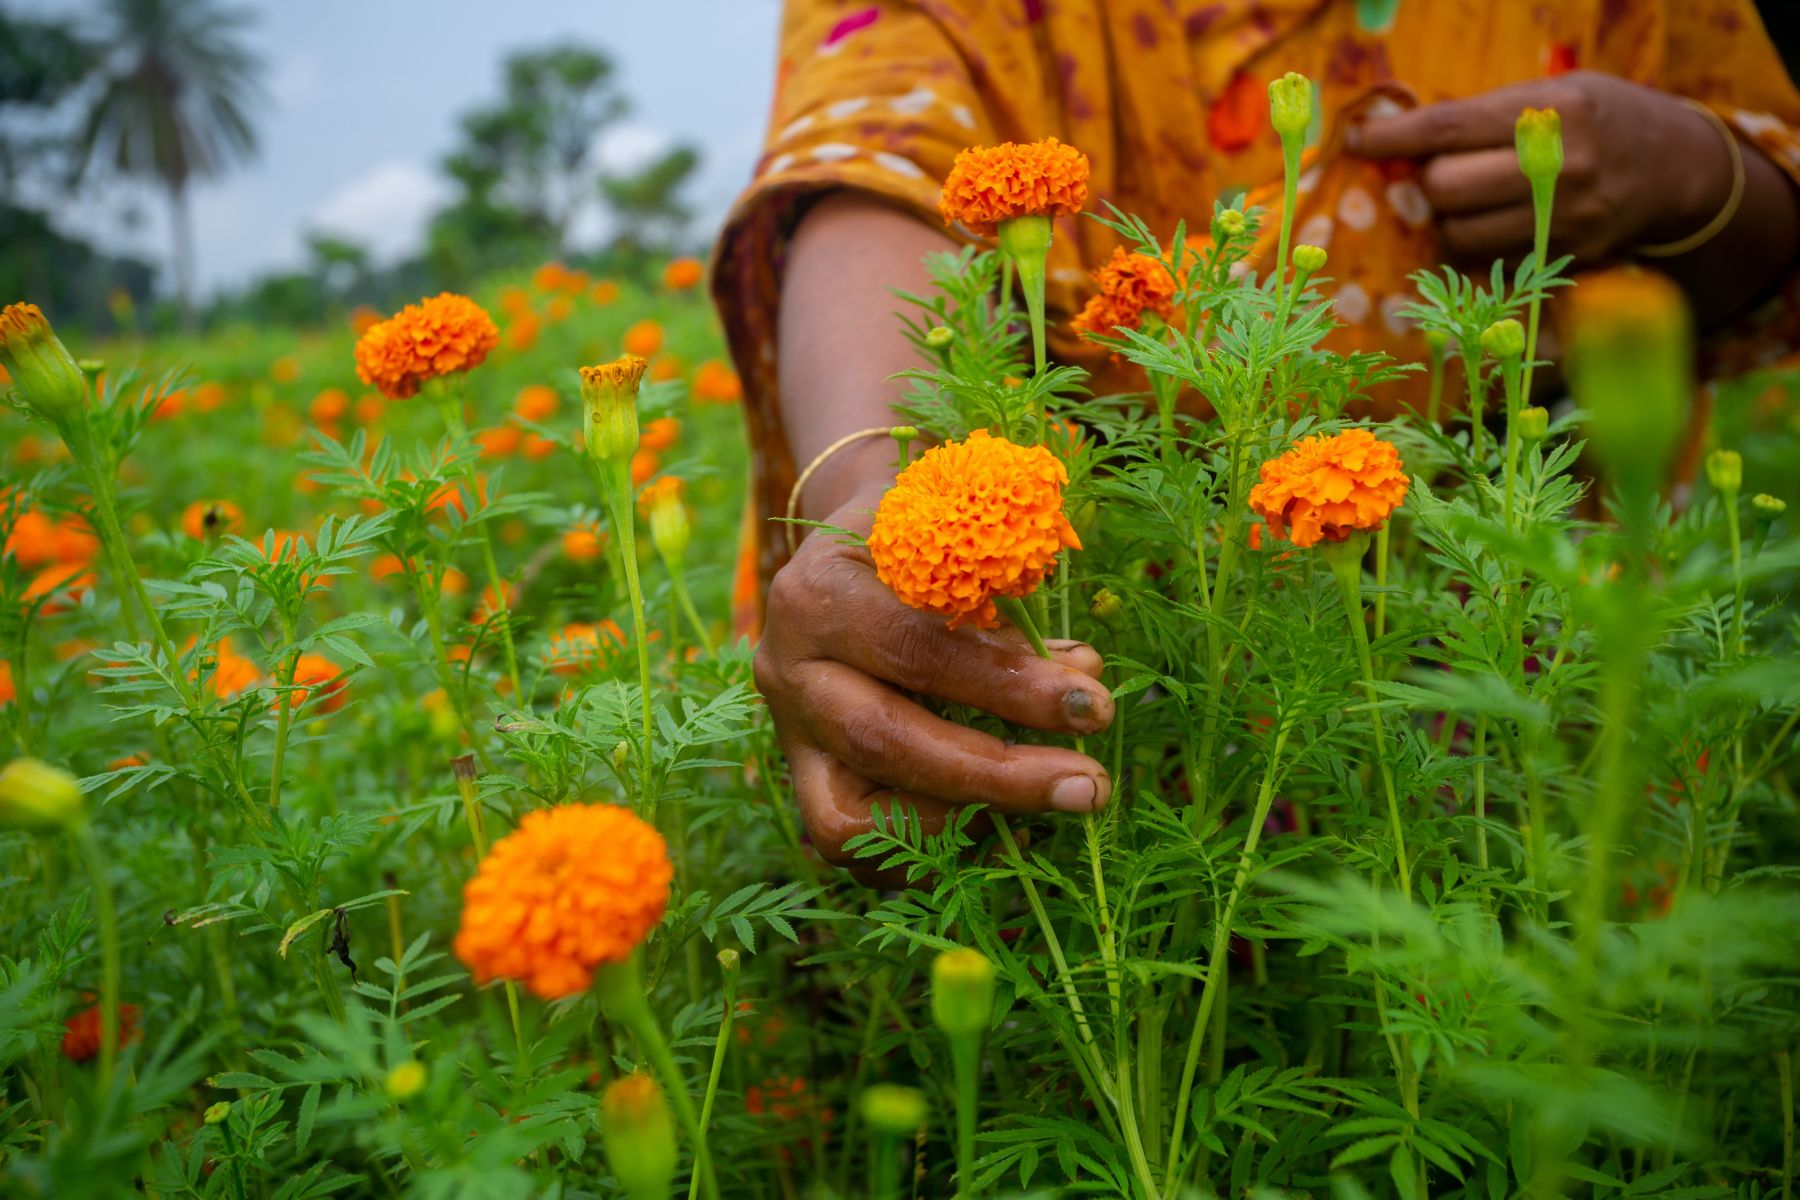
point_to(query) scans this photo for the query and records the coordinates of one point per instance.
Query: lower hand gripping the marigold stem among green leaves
(840, 665)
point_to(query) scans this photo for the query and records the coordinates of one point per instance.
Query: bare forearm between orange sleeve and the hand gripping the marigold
(840, 339)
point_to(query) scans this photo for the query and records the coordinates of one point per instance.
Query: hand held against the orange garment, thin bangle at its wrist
(1639, 166)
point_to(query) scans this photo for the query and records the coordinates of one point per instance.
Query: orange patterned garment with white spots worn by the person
(1169, 100)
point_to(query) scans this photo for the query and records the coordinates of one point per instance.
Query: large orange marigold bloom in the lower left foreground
(573, 888)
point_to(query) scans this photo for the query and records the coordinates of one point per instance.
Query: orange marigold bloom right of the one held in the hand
(1327, 488)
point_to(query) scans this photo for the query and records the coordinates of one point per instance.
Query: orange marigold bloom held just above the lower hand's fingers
(967, 523)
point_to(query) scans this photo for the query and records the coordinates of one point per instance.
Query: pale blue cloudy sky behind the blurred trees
(363, 100)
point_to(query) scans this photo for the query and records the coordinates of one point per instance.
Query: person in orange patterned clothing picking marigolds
(1680, 147)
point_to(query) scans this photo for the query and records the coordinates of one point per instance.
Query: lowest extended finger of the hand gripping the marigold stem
(881, 735)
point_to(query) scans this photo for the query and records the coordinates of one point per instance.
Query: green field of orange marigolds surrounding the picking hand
(390, 809)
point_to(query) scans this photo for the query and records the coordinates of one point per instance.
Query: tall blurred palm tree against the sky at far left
(175, 84)
